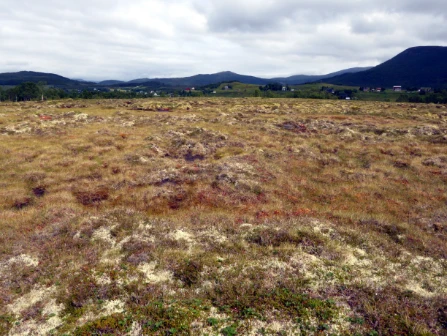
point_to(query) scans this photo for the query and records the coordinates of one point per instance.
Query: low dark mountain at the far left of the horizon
(15, 78)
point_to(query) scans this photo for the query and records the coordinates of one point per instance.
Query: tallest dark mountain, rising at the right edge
(414, 67)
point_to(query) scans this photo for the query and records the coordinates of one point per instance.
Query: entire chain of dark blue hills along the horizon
(414, 67)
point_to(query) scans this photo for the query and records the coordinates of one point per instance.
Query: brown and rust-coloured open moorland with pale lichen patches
(223, 217)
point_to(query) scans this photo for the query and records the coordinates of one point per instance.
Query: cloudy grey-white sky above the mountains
(121, 39)
